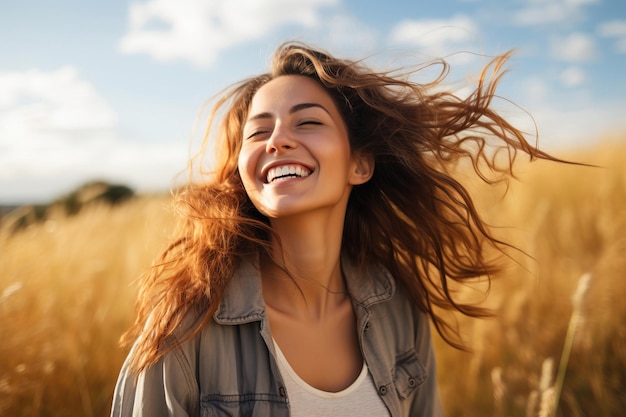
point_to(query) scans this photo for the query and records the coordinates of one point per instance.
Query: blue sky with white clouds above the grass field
(114, 90)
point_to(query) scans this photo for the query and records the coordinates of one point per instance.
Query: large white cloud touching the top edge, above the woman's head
(198, 30)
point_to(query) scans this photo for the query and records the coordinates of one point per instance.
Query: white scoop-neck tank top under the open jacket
(359, 399)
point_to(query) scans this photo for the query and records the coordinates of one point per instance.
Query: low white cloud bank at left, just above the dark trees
(144, 167)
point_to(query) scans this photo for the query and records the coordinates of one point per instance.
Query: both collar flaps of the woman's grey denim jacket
(243, 302)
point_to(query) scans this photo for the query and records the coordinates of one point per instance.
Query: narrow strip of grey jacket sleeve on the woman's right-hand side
(427, 399)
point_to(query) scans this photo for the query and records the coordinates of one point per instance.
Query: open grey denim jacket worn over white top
(229, 368)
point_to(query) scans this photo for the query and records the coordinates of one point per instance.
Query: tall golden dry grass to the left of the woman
(66, 295)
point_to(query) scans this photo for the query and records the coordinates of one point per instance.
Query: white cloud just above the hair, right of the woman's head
(436, 37)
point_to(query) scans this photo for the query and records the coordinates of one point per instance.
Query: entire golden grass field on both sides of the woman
(67, 294)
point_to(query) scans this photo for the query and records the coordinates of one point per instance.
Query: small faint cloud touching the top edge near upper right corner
(544, 12)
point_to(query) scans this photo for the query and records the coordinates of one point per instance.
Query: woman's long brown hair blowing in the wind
(412, 216)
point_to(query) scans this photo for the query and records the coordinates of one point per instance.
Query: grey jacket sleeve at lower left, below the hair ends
(166, 389)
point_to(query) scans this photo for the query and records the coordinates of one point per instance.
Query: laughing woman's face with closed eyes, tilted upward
(295, 156)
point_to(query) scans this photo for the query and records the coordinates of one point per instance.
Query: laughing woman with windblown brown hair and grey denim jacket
(312, 260)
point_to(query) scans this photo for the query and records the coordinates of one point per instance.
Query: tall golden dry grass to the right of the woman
(571, 220)
